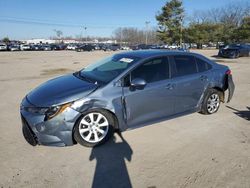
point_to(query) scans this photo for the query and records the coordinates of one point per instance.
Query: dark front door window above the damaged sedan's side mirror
(152, 71)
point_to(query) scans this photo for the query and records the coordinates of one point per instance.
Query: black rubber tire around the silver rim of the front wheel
(111, 124)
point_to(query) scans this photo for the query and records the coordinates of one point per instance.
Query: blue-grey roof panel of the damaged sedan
(152, 53)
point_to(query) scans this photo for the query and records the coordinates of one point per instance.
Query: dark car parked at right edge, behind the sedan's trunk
(234, 51)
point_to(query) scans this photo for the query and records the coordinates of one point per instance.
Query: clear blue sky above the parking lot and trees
(26, 19)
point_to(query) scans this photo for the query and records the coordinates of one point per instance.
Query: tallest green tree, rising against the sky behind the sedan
(170, 22)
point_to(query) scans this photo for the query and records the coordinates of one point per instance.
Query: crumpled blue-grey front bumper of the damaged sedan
(54, 132)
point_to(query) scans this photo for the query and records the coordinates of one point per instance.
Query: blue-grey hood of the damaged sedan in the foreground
(60, 90)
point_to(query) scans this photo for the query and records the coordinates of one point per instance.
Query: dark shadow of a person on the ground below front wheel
(111, 170)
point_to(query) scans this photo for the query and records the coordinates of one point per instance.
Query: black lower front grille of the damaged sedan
(28, 134)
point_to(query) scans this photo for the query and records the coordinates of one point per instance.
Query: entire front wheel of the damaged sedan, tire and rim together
(94, 128)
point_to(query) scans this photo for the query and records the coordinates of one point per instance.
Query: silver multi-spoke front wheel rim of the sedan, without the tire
(93, 127)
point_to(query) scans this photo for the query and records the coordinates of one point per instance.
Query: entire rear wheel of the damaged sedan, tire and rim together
(211, 102)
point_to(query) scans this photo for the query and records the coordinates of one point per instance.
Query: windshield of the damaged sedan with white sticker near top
(107, 69)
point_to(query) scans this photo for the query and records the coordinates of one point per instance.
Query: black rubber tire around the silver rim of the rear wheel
(204, 107)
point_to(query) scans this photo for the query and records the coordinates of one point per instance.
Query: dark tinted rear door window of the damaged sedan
(185, 65)
